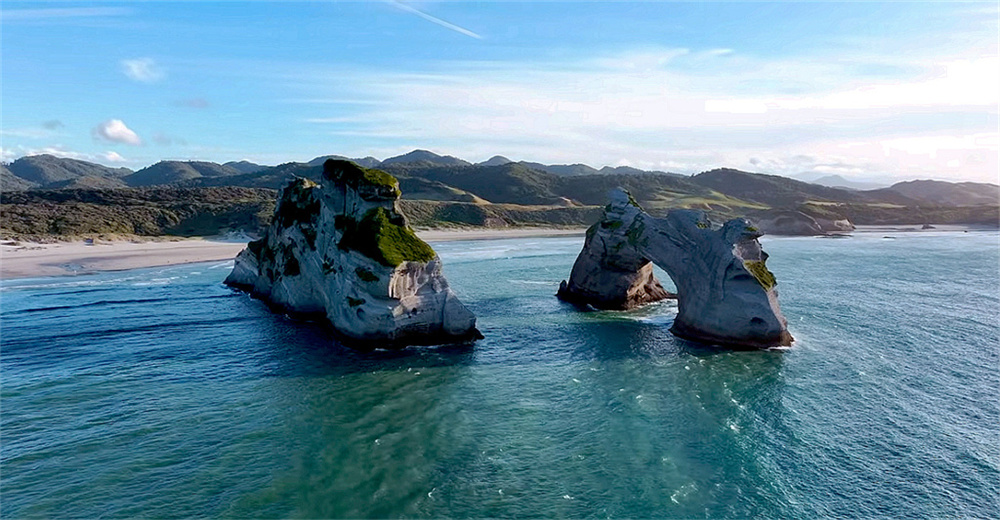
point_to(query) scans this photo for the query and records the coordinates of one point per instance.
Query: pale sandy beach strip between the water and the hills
(28, 260)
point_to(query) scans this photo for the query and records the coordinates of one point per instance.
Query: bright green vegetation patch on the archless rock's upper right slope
(385, 238)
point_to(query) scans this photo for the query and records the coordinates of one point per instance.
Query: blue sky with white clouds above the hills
(865, 90)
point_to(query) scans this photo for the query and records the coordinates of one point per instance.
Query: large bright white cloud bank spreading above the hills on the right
(690, 110)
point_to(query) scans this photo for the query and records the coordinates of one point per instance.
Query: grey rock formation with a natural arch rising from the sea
(725, 293)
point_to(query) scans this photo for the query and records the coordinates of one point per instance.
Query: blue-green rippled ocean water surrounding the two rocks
(162, 393)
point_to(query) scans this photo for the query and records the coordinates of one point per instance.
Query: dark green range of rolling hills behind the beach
(443, 190)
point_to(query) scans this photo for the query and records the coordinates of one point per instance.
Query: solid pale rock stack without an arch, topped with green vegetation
(342, 251)
